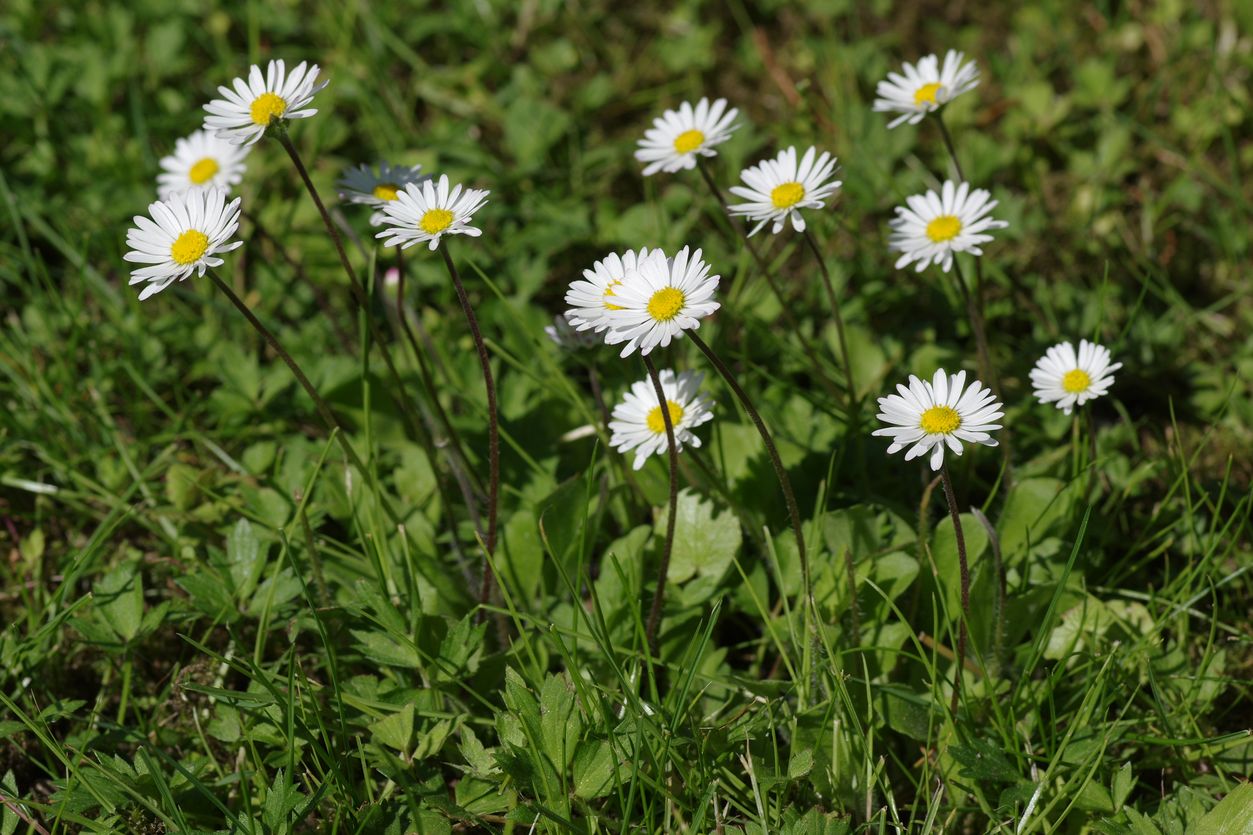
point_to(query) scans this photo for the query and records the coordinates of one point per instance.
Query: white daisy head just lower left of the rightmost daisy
(928, 417)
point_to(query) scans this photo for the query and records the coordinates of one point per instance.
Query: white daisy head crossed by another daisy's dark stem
(638, 423)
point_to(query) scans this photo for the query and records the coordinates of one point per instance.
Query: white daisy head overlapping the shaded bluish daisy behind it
(427, 213)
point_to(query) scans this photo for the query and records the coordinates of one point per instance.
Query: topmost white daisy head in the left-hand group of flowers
(244, 113)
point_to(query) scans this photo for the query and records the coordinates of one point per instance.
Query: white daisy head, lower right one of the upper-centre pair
(779, 189)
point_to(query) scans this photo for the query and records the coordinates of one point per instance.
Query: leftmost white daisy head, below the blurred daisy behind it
(182, 236)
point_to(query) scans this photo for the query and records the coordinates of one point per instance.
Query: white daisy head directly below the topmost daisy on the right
(935, 226)
